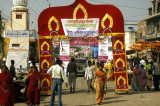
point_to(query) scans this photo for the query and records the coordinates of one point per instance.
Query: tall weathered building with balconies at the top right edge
(153, 22)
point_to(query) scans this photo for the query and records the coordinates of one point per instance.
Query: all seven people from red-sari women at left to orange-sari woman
(94, 73)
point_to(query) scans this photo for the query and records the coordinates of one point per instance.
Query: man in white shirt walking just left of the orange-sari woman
(89, 73)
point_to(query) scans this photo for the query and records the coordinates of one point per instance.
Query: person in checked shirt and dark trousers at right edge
(156, 74)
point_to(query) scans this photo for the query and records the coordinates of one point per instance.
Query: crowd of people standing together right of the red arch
(144, 73)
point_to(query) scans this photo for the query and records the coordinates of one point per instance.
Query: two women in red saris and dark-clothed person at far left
(7, 91)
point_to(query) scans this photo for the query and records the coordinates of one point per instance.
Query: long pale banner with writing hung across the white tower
(16, 33)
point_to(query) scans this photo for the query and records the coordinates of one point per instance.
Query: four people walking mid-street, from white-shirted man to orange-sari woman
(93, 74)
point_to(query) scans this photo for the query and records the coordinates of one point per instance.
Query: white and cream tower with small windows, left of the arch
(18, 33)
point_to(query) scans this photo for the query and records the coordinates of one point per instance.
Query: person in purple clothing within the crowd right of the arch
(143, 77)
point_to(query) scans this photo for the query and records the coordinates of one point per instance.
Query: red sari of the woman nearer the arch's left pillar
(33, 93)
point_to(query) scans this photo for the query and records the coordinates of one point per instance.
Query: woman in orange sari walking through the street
(101, 81)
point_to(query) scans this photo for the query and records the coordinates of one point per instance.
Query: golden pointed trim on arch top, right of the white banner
(104, 19)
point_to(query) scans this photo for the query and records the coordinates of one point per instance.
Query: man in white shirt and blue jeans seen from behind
(57, 75)
